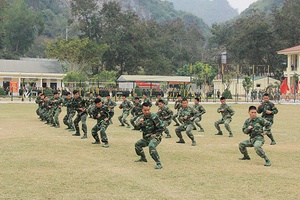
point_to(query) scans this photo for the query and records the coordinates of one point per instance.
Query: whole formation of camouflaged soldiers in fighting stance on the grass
(152, 125)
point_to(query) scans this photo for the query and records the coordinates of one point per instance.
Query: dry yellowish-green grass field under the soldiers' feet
(41, 162)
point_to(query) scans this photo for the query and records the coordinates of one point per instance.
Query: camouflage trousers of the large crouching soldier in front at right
(256, 143)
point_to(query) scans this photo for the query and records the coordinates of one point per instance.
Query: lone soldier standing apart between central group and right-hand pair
(227, 112)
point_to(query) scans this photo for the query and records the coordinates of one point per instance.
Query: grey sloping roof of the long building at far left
(35, 66)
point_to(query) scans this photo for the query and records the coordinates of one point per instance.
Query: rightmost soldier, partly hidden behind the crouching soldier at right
(268, 111)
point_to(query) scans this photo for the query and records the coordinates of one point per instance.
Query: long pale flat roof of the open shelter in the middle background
(146, 78)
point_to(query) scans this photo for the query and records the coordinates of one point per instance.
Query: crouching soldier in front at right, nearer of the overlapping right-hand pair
(253, 127)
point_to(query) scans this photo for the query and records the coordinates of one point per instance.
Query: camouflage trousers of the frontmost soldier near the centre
(152, 143)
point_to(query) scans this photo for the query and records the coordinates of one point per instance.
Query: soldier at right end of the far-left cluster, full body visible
(56, 105)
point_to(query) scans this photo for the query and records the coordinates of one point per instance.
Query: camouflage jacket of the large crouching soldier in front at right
(259, 125)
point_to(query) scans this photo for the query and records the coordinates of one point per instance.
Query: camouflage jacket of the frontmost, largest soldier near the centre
(151, 125)
